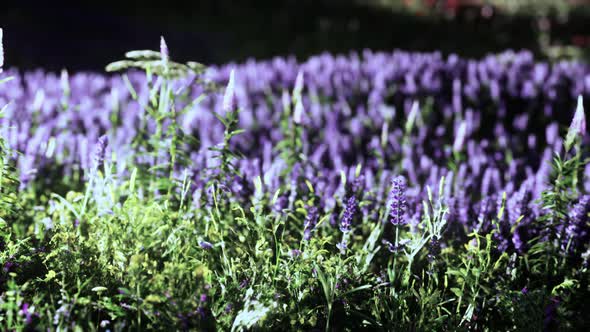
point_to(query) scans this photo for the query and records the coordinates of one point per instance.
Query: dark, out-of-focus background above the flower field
(87, 35)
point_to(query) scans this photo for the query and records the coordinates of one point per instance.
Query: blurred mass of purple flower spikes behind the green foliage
(488, 126)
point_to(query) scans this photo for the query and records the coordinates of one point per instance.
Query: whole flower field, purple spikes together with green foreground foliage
(374, 191)
